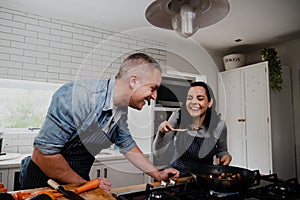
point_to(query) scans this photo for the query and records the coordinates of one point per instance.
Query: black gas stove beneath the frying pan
(268, 187)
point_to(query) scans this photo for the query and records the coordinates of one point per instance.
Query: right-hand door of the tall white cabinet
(257, 115)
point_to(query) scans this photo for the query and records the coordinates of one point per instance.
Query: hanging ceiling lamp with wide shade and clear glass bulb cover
(186, 16)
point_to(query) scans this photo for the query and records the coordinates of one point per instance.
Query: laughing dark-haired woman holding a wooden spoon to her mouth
(197, 133)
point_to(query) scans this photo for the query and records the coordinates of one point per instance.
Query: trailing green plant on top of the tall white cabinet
(275, 74)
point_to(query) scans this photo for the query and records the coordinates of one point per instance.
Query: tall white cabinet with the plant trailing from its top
(259, 121)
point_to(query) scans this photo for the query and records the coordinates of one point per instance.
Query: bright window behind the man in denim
(24, 104)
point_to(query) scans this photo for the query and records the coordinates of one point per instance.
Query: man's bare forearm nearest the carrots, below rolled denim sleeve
(56, 167)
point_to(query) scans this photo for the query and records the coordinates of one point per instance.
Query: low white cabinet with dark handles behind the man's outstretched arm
(120, 172)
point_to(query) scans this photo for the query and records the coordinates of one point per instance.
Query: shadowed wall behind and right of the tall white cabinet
(289, 55)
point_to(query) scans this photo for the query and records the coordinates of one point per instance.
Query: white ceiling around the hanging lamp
(257, 23)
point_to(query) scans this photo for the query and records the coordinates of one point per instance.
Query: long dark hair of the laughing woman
(211, 118)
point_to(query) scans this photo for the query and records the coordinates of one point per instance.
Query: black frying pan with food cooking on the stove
(248, 178)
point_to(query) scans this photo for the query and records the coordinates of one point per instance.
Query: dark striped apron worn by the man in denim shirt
(79, 152)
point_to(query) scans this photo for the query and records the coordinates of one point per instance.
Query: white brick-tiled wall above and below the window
(38, 48)
